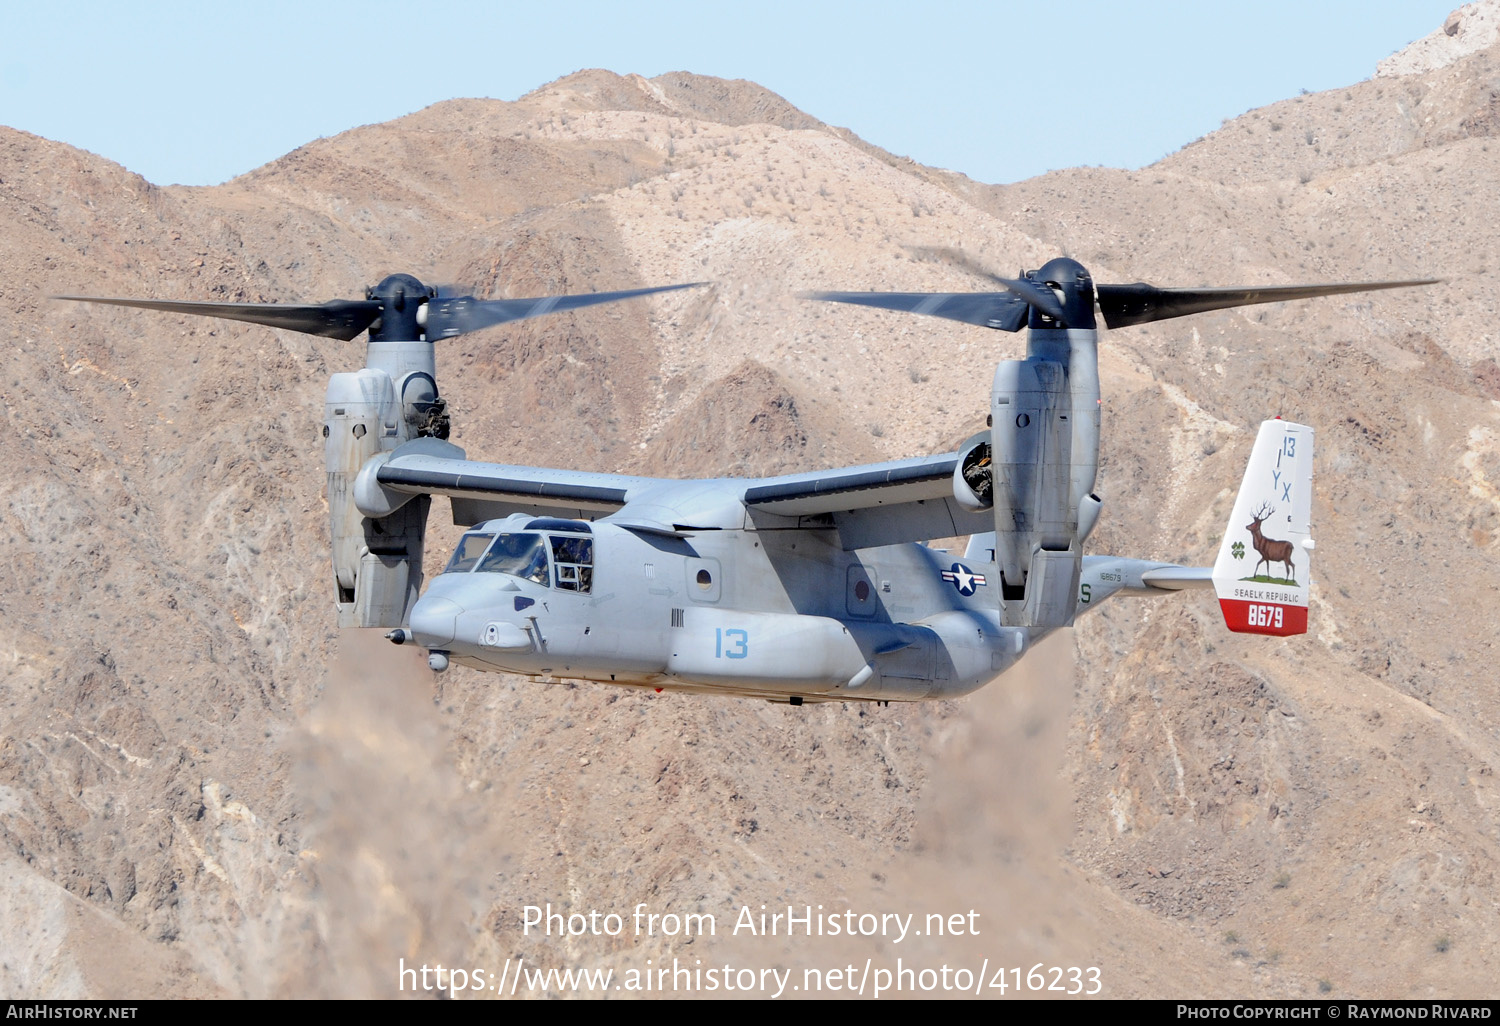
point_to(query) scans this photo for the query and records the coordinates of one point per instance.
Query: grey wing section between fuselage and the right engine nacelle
(908, 500)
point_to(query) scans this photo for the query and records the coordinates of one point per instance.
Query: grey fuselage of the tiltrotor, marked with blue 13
(772, 613)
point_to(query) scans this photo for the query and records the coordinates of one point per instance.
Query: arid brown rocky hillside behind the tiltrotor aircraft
(208, 791)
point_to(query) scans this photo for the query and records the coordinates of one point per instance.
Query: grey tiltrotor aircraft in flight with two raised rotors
(799, 589)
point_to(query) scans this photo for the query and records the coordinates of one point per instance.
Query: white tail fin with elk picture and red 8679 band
(1265, 565)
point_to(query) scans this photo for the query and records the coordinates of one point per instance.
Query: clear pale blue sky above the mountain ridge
(200, 92)
